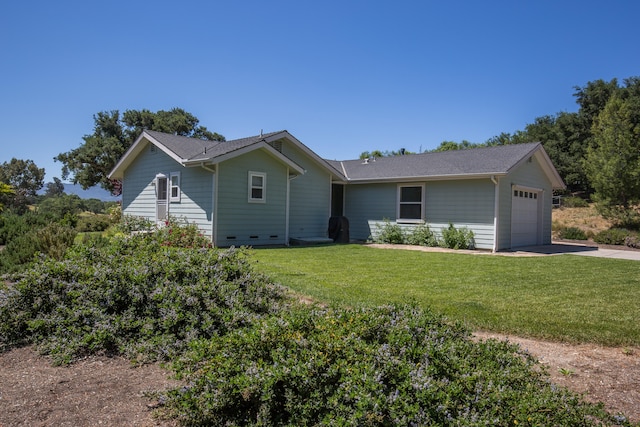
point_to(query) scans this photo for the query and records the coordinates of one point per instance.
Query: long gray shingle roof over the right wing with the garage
(478, 161)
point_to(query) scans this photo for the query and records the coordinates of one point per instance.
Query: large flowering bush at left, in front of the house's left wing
(135, 297)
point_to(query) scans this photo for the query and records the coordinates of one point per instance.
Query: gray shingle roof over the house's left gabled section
(193, 149)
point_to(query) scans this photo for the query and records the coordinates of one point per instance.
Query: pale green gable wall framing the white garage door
(528, 174)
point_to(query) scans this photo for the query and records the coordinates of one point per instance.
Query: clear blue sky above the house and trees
(342, 76)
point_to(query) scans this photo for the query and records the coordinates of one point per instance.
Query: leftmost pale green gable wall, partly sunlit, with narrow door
(139, 197)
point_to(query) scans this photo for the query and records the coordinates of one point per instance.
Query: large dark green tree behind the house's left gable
(90, 163)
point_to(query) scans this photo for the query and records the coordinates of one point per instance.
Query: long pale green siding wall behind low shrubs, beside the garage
(466, 203)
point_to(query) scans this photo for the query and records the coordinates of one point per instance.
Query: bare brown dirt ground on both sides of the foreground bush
(111, 392)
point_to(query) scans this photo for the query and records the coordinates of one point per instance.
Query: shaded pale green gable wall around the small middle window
(240, 222)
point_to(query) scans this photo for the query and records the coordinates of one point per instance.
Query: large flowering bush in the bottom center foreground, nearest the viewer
(390, 365)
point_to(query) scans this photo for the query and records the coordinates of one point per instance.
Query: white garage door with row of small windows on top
(525, 218)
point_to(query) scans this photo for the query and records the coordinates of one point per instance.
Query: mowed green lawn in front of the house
(563, 298)
